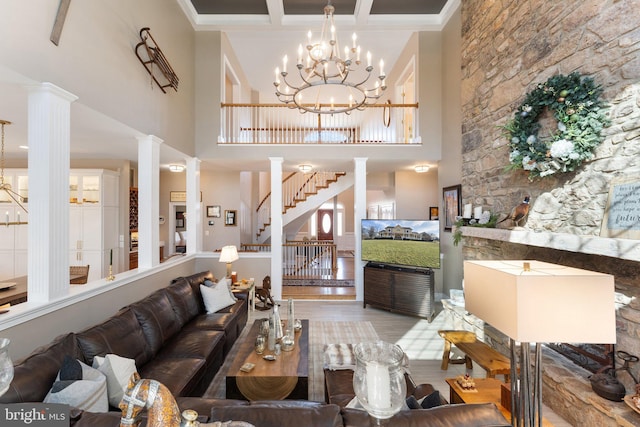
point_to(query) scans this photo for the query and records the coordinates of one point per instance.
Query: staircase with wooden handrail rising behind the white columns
(302, 195)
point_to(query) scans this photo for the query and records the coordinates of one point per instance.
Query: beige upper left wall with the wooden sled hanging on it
(95, 60)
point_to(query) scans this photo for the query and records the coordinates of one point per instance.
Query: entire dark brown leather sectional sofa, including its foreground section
(174, 341)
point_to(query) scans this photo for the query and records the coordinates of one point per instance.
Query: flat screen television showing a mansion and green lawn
(412, 243)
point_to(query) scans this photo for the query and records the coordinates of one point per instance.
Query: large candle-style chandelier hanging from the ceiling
(331, 83)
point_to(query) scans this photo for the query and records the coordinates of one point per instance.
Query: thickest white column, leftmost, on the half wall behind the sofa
(49, 117)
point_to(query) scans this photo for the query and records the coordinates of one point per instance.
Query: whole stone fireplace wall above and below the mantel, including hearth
(507, 48)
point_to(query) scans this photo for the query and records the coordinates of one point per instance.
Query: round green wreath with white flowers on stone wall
(576, 105)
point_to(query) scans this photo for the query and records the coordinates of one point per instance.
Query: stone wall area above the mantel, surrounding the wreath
(509, 47)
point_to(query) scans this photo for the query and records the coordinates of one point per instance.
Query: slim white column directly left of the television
(360, 212)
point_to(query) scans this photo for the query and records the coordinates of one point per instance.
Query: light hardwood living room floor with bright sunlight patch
(417, 337)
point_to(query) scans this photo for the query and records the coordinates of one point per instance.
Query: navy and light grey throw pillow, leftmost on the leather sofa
(80, 386)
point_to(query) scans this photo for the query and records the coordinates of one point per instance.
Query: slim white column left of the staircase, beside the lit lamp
(276, 227)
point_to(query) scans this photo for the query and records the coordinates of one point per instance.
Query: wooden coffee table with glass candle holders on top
(287, 377)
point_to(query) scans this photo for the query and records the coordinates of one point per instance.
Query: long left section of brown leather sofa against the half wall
(168, 333)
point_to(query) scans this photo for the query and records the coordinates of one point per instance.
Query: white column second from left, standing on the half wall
(148, 201)
